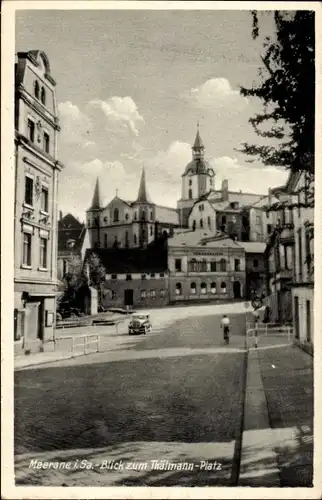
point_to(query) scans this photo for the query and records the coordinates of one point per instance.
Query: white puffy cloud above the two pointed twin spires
(121, 111)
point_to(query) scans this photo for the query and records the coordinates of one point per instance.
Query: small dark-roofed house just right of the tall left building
(72, 244)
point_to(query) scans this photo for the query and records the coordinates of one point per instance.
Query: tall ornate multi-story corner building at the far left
(36, 182)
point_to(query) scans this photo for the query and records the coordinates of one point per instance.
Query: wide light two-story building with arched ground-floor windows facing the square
(204, 266)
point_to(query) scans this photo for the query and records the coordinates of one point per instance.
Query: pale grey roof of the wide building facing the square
(201, 237)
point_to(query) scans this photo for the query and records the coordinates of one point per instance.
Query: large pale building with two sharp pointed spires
(128, 224)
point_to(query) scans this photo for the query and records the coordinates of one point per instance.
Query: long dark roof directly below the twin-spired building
(132, 260)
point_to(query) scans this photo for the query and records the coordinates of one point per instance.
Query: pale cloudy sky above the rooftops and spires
(131, 87)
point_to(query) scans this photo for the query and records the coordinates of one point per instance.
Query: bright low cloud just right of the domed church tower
(252, 179)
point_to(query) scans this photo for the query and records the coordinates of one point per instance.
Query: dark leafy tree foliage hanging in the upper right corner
(287, 91)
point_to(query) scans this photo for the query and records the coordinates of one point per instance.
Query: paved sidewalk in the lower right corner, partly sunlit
(277, 444)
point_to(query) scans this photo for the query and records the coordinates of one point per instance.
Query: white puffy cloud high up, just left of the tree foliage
(215, 93)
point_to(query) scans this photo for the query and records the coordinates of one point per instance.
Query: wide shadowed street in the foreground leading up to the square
(175, 394)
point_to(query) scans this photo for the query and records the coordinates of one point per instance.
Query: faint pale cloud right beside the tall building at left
(75, 125)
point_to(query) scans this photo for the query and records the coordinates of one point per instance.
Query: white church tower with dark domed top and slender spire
(198, 179)
